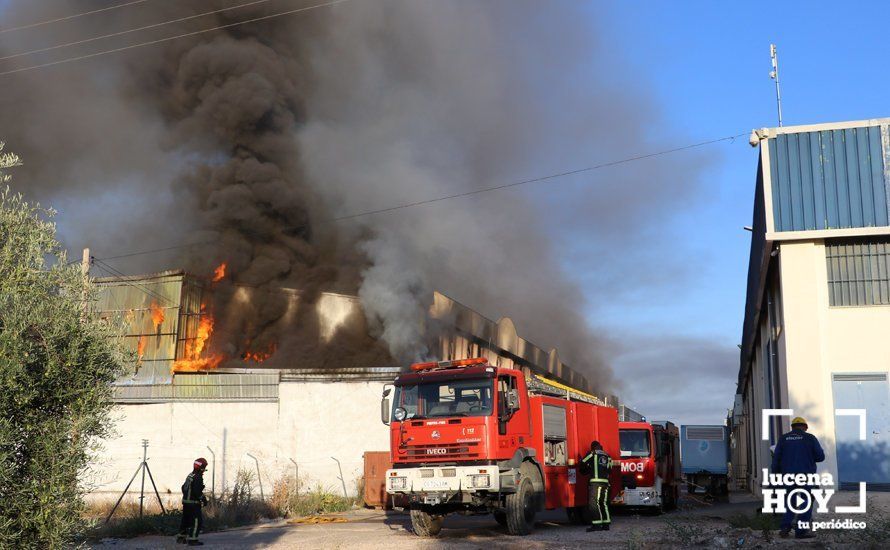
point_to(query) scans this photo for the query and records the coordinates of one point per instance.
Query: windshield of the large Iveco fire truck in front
(463, 397)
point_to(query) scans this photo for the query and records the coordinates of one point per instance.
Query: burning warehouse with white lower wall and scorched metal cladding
(315, 422)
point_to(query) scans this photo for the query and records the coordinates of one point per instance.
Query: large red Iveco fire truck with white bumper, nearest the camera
(470, 437)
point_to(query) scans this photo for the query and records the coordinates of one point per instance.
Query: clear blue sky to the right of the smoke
(707, 64)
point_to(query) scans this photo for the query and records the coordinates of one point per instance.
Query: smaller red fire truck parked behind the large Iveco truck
(650, 465)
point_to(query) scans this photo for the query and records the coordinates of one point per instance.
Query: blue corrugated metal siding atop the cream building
(831, 179)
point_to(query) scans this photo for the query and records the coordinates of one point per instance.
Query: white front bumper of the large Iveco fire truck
(442, 481)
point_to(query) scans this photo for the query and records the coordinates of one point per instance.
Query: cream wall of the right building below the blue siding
(815, 342)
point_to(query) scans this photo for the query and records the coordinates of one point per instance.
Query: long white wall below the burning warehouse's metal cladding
(311, 422)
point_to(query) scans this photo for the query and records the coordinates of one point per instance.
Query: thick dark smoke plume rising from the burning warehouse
(251, 139)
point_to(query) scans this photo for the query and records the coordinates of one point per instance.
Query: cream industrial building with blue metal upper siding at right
(816, 336)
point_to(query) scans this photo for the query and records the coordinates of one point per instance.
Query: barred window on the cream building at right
(858, 272)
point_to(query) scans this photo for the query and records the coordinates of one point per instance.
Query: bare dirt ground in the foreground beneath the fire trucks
(696, 524)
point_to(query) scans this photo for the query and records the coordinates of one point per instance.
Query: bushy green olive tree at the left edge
(56, 368)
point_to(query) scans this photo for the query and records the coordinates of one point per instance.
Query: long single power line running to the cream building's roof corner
(475, 191)
